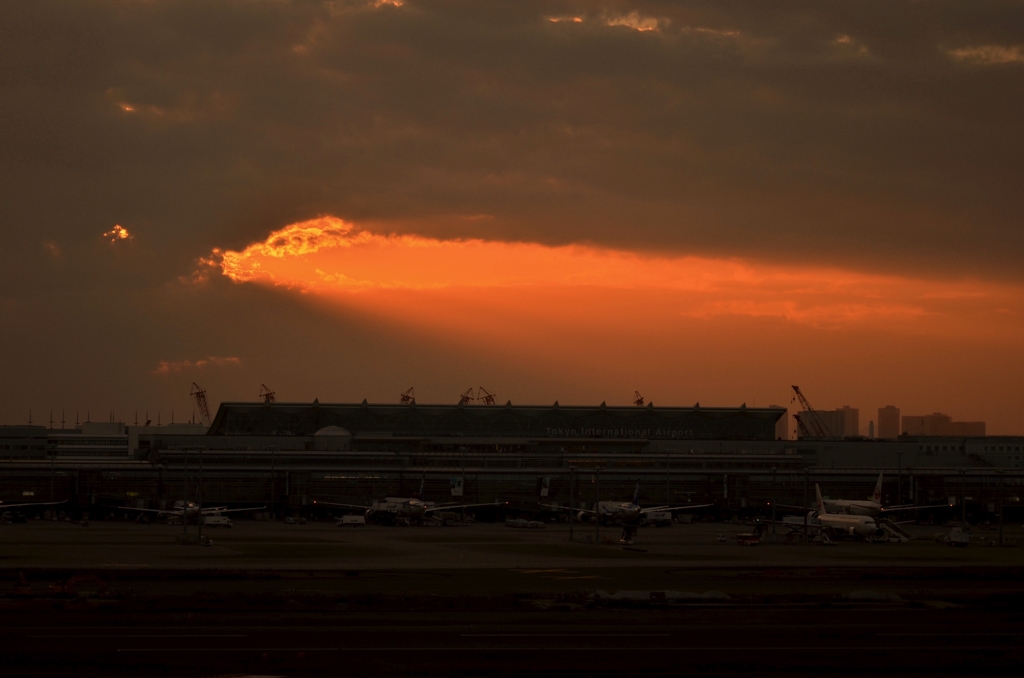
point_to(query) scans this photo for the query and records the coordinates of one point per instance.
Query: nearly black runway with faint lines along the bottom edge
(708, 641)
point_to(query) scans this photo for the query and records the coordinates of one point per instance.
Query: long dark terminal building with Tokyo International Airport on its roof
(294, 454)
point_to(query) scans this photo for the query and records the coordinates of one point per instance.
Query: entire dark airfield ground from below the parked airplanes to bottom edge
(491, 602)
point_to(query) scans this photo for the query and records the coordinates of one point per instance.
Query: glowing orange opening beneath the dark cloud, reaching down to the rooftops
(591, 322)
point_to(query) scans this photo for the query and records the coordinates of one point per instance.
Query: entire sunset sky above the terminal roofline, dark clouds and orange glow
(701, 201)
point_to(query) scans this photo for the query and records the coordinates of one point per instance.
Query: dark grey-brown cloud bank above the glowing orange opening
(831, 134)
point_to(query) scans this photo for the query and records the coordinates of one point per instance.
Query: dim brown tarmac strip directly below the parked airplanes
(323, 546)
